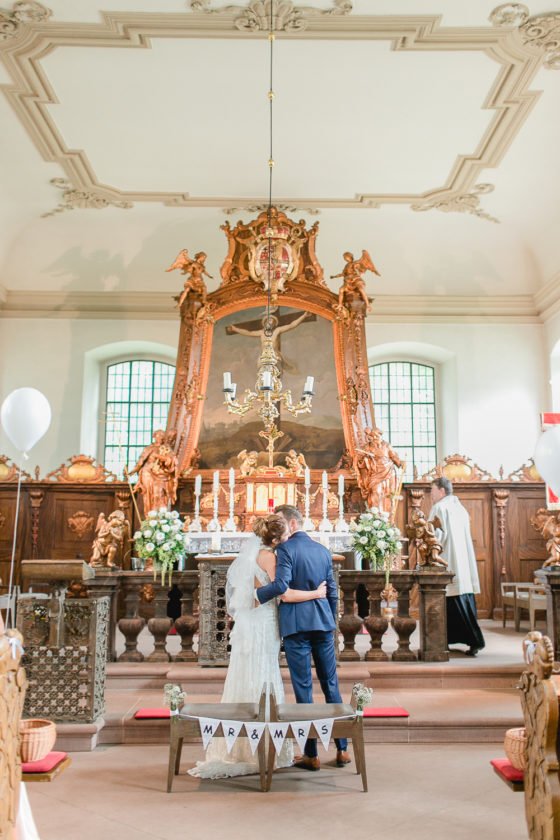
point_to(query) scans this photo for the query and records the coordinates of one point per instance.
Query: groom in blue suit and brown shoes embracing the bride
(307, 628)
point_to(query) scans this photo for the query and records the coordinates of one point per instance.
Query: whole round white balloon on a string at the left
(25, 416)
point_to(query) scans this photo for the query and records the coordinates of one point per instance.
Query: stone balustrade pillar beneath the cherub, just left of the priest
(433, 614)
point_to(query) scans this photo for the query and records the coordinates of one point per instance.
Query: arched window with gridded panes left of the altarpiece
(138, 393)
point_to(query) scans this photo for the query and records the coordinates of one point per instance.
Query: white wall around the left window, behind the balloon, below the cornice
(53, 355)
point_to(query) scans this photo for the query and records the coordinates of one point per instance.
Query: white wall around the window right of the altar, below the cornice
(493, 384)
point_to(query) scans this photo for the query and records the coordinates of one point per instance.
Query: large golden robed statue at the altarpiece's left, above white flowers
(157, 470)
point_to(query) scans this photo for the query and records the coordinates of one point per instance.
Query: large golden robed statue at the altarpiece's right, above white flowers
(375, 468)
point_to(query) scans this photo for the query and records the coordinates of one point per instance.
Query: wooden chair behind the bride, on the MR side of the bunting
(182, 726)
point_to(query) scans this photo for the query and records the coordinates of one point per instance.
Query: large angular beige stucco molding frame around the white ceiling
(510, 97)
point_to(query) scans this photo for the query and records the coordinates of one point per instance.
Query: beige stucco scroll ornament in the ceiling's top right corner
(541, 32)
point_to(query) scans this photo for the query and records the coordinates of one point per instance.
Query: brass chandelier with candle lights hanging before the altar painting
(268, 394)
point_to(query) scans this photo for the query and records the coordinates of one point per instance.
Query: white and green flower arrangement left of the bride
(161, 539)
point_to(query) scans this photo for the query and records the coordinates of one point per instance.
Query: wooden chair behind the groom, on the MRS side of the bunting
(350, 725)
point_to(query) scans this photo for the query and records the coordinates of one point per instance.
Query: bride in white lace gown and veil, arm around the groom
(255, 645)
